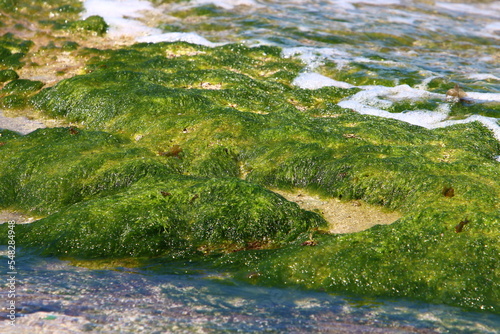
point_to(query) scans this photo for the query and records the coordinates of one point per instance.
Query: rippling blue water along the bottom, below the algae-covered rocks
(54, 295)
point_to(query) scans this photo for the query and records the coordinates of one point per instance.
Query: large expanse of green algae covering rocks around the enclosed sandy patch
(178, 144)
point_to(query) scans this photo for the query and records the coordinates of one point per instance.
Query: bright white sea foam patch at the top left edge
(122, 16)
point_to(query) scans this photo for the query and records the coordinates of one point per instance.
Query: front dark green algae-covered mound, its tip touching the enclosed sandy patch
(165, 216)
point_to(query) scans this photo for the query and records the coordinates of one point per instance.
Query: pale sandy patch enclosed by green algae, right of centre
(342, 217)
